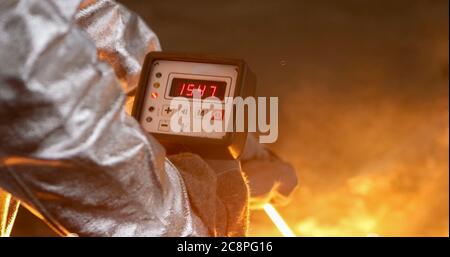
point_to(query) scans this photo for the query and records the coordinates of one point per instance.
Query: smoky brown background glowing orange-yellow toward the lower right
(363, 95)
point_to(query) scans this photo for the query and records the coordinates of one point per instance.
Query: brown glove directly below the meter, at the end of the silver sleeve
(217, 192)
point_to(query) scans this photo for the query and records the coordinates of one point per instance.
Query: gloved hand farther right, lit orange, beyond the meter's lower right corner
(270, 179)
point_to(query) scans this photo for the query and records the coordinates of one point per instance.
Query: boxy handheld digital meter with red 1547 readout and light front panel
(166, 77)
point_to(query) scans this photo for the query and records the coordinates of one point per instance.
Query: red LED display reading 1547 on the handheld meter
(206, 88)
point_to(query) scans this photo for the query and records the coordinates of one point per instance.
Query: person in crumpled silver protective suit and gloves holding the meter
(72, 156)
